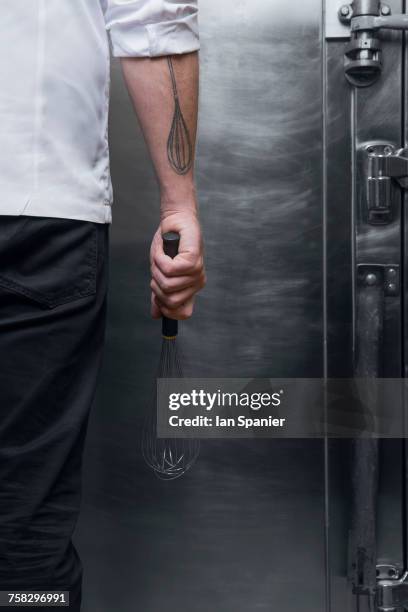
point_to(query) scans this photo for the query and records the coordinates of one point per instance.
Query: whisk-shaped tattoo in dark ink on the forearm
(179, 147)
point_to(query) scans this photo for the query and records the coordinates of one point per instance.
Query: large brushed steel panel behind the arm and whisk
(232, 534)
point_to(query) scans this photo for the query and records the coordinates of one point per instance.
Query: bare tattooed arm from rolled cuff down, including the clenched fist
(164, 92)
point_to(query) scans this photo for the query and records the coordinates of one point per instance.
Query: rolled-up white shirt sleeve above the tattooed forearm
(150, 28)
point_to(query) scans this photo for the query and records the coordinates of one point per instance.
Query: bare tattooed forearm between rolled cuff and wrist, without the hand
(164, 92)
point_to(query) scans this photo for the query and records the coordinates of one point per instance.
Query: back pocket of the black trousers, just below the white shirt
(46, 260)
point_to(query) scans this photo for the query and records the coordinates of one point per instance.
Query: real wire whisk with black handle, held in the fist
(168, 458)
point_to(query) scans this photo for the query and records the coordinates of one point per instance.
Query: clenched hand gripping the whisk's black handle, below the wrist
(175, 282)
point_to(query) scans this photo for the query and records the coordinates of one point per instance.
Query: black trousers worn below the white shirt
(53, 285)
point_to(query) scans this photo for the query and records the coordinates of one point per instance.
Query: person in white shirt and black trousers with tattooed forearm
(54, 235)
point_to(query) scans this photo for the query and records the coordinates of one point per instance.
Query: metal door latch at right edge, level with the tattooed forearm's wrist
(386, 167)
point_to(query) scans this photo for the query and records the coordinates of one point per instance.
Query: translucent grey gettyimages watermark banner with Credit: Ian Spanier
(281, 408)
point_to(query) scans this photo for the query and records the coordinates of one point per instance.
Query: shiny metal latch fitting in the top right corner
(361, 20)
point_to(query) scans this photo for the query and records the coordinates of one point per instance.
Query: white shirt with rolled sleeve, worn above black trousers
(54, 95)
